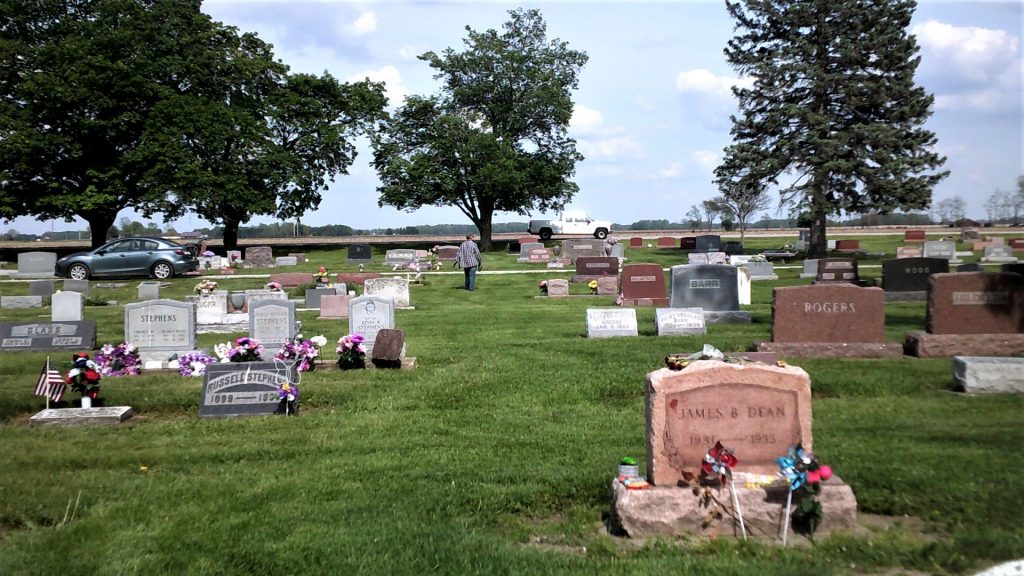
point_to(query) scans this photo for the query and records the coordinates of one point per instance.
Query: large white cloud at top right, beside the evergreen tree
(979, 55)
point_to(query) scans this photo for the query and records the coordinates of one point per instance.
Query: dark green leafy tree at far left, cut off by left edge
(79, 83)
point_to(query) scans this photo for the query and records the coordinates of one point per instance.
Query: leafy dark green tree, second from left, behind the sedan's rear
(249, 139)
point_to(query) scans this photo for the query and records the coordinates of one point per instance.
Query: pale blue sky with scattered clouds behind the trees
(653, 111)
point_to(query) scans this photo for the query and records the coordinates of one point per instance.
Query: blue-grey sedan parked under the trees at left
(131, 257)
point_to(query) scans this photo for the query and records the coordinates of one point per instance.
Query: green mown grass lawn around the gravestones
(494, 457)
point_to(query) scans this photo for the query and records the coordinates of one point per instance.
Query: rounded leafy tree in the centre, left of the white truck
(495, 138)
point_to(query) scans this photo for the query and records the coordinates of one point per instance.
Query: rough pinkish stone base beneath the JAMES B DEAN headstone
(677, 512)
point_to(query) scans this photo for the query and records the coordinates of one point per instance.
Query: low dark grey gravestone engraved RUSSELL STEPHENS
(244, 389)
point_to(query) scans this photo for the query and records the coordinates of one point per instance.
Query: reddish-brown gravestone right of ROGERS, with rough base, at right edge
(972, 314)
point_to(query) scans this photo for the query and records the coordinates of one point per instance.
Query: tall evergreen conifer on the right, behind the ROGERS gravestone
(834, 106)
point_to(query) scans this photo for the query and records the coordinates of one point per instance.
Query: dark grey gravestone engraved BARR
(712, 287)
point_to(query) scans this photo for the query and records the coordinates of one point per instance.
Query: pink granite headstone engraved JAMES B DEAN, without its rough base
(757, 410)
